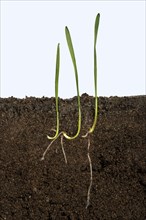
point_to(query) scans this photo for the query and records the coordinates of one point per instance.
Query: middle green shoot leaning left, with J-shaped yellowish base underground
(70, 46)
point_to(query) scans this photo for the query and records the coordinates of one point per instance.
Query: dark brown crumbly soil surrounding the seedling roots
(32, 189)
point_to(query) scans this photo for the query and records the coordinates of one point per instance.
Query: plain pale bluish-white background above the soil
(30, 31)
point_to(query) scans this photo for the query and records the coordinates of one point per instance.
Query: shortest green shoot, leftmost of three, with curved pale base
(56, 93)
